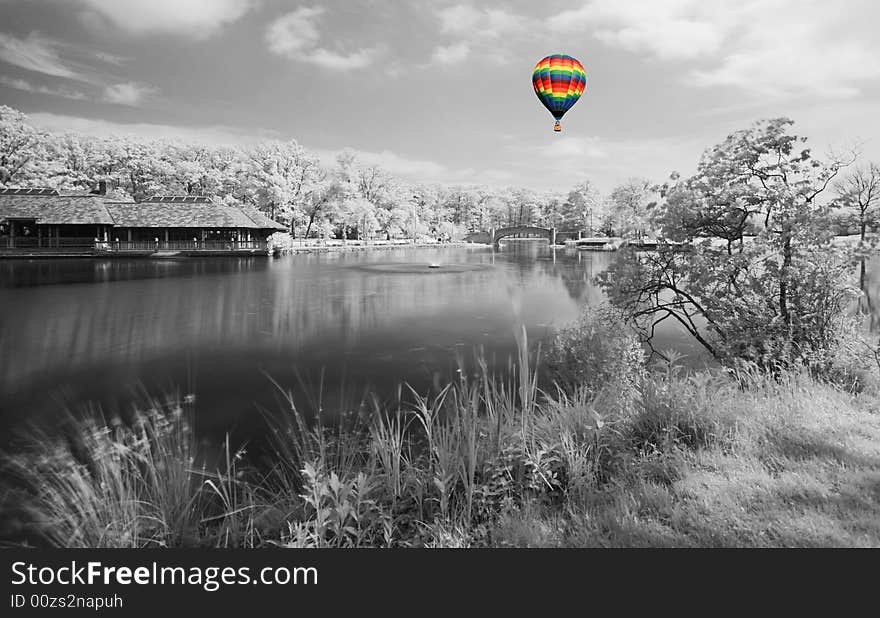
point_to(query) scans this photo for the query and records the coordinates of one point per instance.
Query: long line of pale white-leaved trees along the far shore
(345, 199)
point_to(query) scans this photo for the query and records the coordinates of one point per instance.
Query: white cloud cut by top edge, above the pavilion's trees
(195, 18)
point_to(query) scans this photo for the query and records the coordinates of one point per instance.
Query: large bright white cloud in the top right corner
(779, 48)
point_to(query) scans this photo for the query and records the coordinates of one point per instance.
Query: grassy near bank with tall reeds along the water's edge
(667, 459)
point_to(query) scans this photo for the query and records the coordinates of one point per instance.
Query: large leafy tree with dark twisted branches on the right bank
(774, 300)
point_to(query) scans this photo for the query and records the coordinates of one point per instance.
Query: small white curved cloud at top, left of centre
(296, 36)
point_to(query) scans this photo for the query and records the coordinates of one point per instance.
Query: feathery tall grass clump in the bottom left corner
(114, 484)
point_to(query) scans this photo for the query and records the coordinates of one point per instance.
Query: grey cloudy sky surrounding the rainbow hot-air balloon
(440, 91)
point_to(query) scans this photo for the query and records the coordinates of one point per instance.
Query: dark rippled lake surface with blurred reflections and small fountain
(93, 330)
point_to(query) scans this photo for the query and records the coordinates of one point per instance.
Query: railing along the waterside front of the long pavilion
(50, 245)
